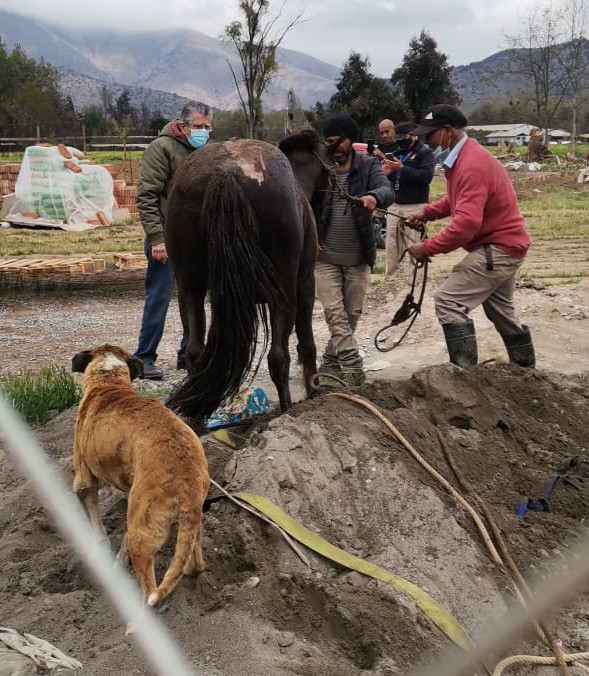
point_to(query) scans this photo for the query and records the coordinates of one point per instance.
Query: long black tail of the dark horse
(241, 276)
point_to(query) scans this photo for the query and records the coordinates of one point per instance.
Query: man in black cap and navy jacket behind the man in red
(410, 172)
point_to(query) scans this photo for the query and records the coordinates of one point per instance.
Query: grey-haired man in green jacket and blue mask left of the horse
(160, 161)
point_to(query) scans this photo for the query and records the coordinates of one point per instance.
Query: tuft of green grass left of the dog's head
(35, 395)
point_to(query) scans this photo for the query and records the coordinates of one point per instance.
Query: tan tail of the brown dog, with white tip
(187, 558)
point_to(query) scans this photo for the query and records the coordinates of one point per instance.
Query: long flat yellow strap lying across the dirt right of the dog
(425, 603)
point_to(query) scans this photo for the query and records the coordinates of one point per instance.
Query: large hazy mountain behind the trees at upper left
(185, 63)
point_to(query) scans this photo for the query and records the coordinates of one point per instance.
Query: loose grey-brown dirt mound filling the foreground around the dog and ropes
(335, 468)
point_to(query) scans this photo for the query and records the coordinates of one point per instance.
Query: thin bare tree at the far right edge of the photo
(575, 58)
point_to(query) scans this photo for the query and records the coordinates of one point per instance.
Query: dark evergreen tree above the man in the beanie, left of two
(366, 98)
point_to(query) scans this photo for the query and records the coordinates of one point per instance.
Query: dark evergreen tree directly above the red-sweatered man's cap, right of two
(424, 77)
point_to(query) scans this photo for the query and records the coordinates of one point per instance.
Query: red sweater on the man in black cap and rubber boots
(483, 205)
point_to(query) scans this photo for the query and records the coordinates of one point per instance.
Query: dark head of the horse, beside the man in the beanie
(308, 158)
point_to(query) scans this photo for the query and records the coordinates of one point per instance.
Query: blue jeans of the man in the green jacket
(159, 284)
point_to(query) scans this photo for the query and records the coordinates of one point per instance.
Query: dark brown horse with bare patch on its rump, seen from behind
(240, 224)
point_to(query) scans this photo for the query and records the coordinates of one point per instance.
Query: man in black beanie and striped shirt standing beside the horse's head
(347, 249)
